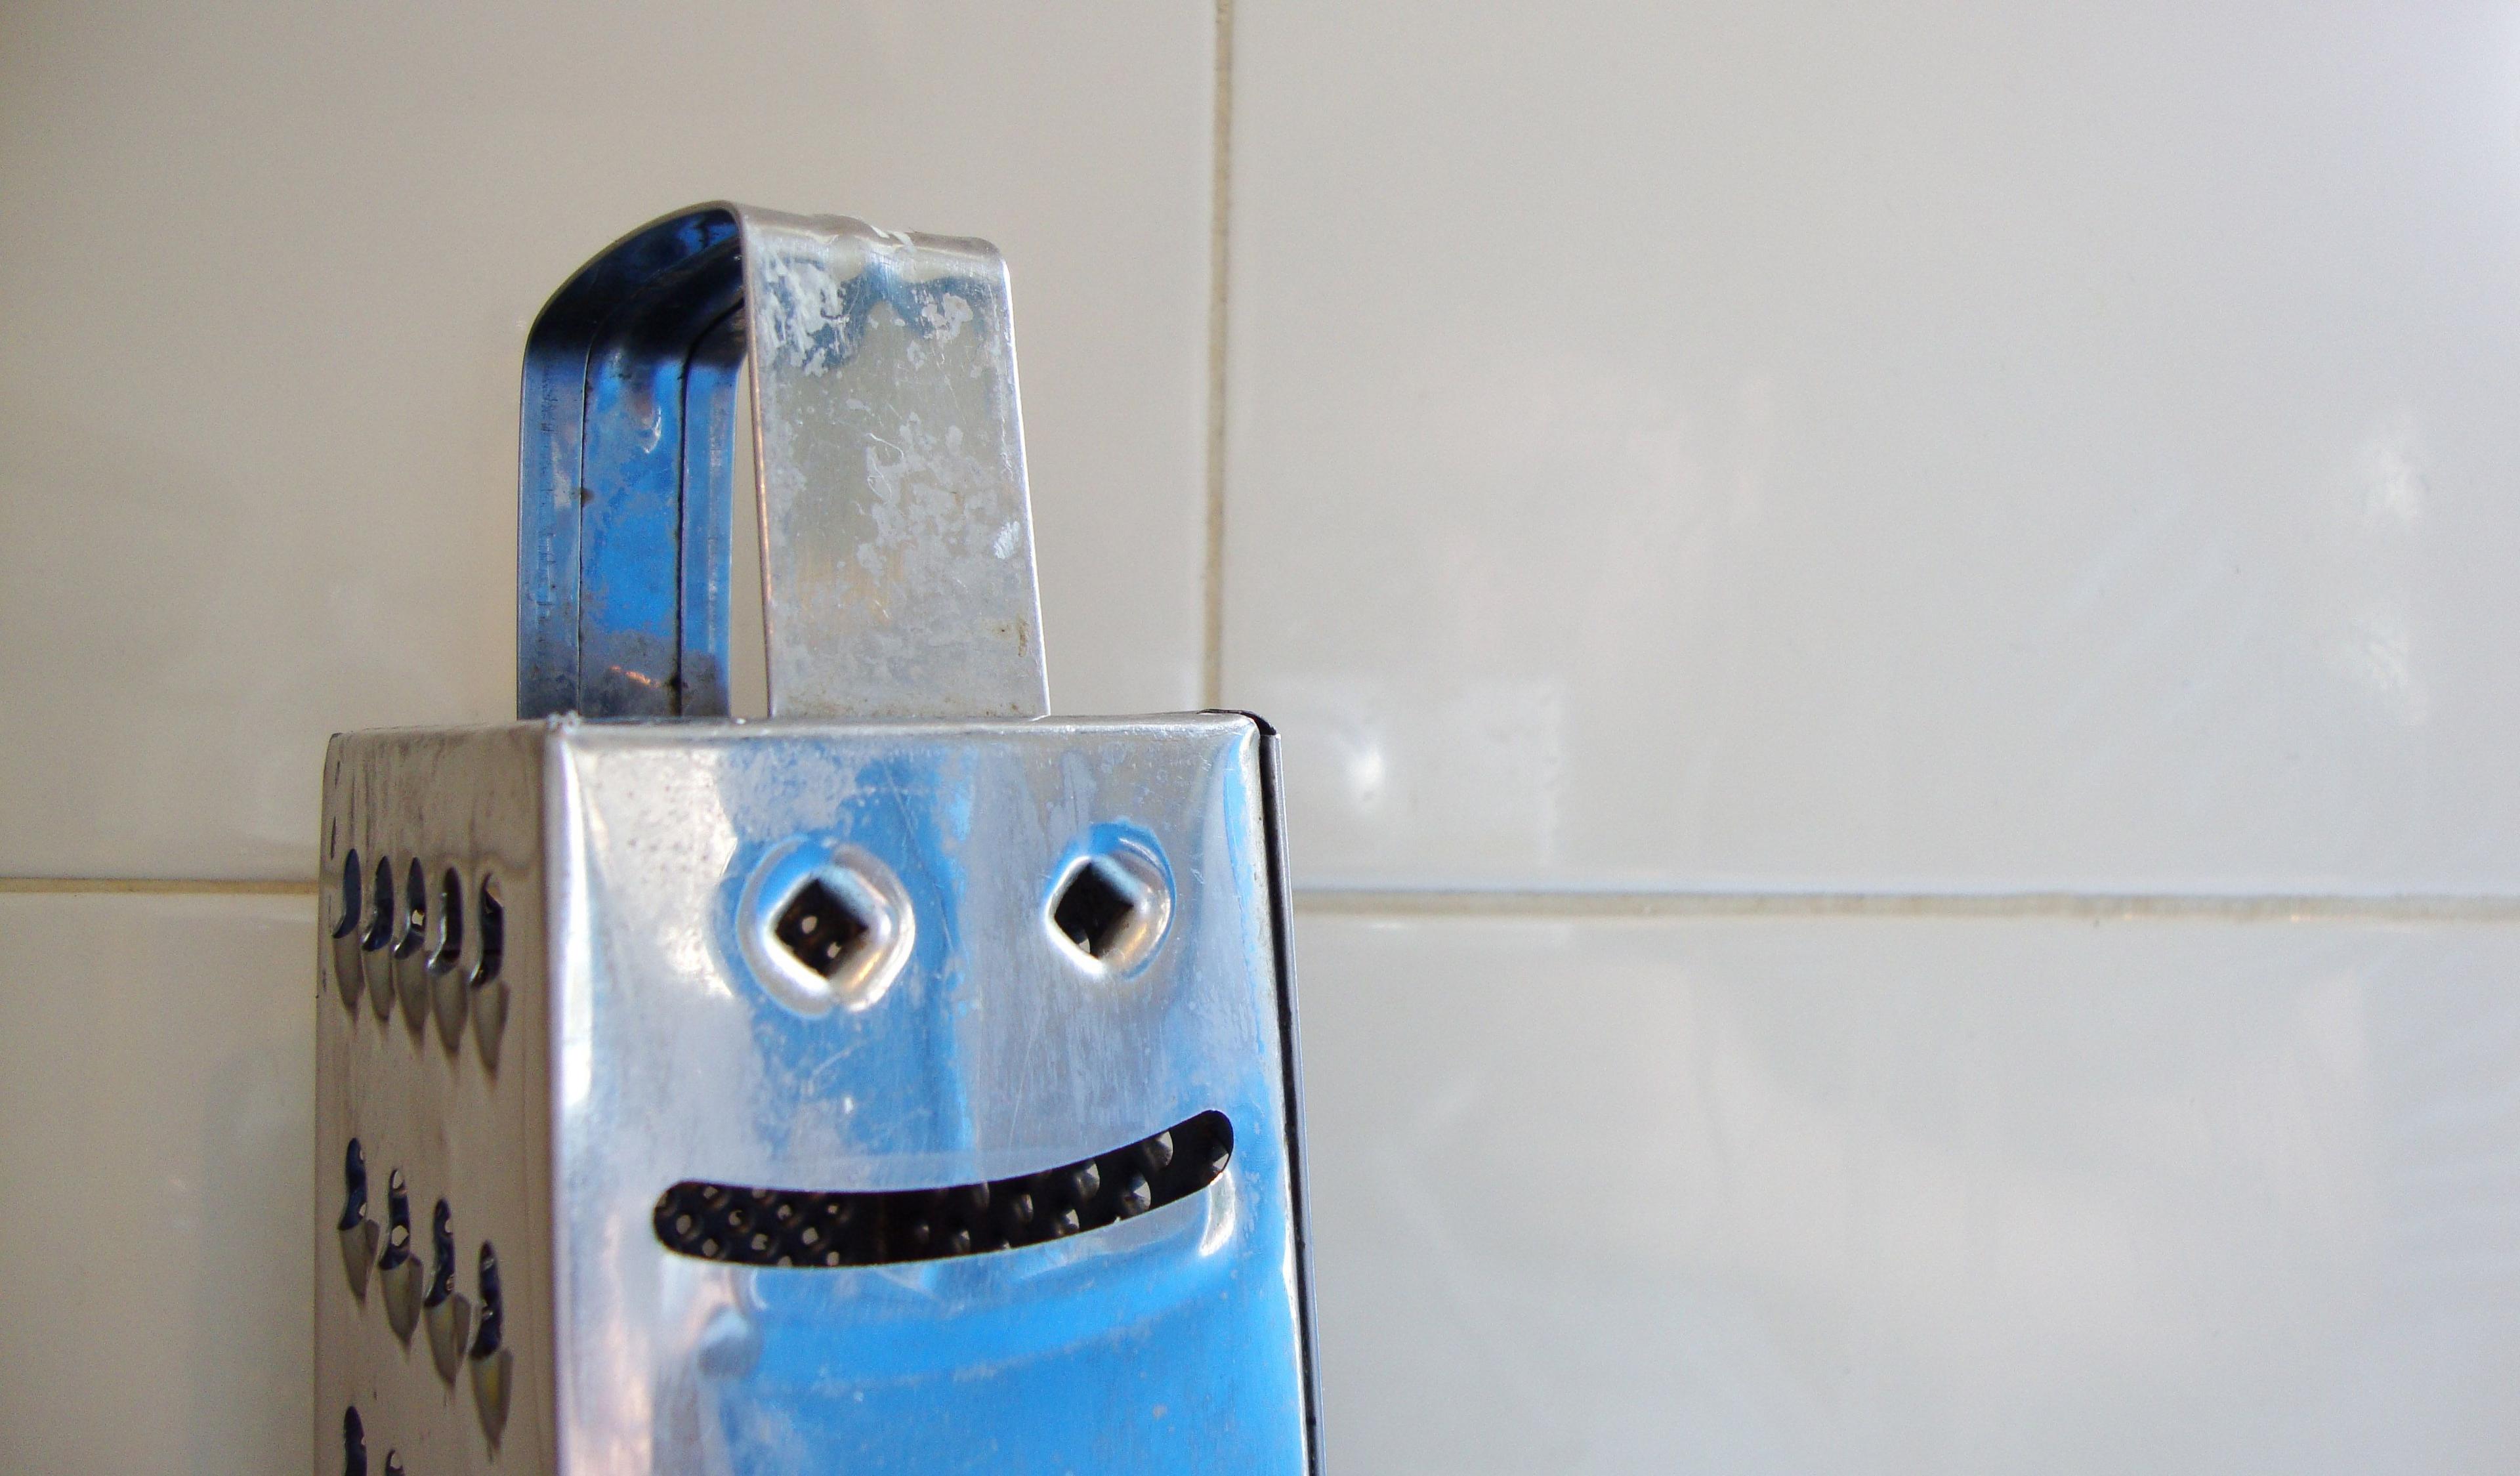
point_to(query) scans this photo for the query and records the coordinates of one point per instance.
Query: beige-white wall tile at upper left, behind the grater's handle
(268, 276)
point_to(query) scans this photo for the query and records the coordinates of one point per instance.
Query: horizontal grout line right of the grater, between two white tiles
(1921, 905)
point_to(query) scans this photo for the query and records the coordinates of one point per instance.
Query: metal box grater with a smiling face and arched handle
(903, 1082)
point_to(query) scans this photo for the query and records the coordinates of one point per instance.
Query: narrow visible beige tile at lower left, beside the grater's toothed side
(157, 1069)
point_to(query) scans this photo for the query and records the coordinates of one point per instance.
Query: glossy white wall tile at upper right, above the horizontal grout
(1921, 447)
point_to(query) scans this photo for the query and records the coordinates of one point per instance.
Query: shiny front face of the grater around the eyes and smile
(1160, 1344)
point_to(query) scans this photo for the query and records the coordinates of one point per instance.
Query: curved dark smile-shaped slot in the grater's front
(803, 1228)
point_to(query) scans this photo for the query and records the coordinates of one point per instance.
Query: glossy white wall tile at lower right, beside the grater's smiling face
(1927, 1198)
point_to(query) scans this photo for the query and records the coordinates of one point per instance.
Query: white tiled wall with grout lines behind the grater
(1894, 628)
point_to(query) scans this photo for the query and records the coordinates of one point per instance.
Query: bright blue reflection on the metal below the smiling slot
(1133, 1349)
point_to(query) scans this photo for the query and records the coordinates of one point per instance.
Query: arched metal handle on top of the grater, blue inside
(888, 447)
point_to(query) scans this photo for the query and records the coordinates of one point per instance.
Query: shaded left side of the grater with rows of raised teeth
(427, 1102)
